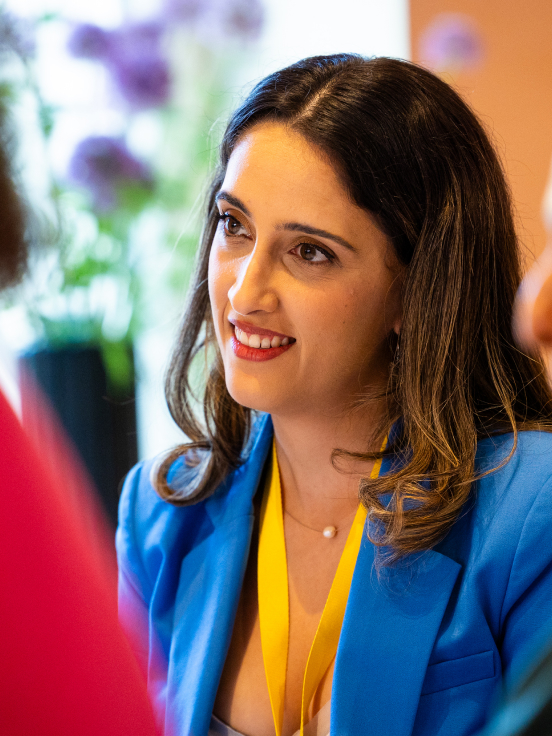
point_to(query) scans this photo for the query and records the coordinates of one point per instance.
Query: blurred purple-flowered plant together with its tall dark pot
(116, 257)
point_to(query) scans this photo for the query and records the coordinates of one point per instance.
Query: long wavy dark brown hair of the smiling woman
(411, 152)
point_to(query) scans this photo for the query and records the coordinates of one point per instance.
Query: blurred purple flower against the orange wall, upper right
(452, 42)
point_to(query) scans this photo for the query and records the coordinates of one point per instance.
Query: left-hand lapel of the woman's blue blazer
(208, 593)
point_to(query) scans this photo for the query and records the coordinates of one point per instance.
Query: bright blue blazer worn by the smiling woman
(422, 648)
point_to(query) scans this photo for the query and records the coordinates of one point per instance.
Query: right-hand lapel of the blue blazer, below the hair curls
(389, 630)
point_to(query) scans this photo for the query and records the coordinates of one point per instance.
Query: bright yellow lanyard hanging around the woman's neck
(274, 600)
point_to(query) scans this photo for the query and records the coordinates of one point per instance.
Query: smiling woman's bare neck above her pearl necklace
(313, 489)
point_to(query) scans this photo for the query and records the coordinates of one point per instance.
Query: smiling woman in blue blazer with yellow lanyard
(354, 289)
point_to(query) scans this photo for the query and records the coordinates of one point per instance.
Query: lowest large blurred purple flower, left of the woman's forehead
(103, 165)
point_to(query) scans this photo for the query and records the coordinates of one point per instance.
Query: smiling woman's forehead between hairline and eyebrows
(273, 165)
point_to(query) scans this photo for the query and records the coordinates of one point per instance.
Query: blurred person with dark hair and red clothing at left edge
(67, 668)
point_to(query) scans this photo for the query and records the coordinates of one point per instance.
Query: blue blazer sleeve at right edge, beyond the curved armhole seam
(527, 605)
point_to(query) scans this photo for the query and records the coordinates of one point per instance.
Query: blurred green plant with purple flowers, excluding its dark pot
(163, 90)
